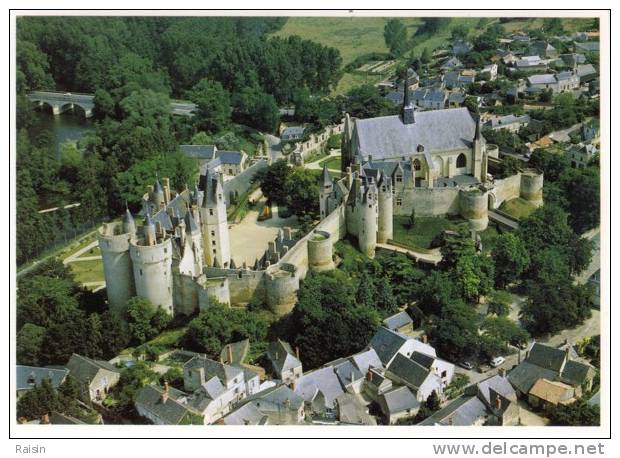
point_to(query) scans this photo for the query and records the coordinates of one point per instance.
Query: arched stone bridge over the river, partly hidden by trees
(66, 101)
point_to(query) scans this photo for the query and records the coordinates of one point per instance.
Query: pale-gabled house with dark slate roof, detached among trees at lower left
(94, 377)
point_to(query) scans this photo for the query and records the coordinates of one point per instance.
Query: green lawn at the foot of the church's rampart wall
(424, 230)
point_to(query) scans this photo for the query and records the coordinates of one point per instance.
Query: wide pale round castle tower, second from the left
(151, 256)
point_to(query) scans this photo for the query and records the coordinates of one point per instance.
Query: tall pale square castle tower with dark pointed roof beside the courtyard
(214, 222)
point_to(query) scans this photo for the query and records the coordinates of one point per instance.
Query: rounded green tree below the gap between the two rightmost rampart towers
(511, 259)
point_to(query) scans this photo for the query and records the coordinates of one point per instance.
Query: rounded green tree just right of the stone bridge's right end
(214, 107)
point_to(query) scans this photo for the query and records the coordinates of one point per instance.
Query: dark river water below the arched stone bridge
(66, 126)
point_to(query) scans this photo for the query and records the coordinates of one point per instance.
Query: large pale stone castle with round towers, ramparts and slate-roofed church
(434, 163)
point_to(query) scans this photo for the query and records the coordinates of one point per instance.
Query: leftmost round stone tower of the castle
(114, 239)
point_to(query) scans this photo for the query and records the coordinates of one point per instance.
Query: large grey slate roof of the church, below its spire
(437, 130)
